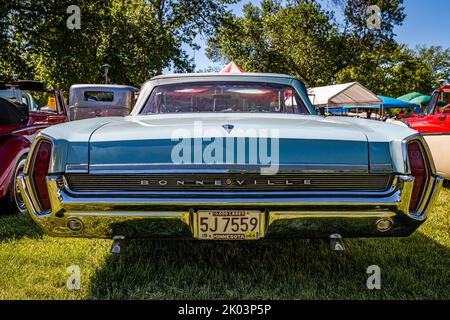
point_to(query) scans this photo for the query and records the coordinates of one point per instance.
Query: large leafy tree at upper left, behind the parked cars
(138, 38)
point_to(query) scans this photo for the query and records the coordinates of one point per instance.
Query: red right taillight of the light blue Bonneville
(419, 170)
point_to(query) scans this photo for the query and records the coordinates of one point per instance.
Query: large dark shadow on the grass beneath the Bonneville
(411, 268)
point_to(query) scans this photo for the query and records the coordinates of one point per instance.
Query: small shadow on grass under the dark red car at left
(18, 226)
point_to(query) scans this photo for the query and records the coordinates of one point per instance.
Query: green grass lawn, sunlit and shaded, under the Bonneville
(34, 266)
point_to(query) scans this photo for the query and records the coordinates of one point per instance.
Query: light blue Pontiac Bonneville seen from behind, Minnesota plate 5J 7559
(229, 157)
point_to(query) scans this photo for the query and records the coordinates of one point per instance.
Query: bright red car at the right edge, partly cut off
(437, 116)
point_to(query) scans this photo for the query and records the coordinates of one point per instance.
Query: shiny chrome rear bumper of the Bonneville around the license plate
(302, 215)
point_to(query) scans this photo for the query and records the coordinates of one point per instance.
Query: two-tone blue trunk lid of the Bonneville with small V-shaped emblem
(309, 142)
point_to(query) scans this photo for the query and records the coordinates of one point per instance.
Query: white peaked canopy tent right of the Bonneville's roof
(348, 94)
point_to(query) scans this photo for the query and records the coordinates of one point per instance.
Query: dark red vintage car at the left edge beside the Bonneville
(25, 109)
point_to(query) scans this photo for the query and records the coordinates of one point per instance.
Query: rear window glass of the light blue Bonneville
(224, 97)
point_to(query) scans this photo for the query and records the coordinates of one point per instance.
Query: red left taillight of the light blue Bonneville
(40, 171)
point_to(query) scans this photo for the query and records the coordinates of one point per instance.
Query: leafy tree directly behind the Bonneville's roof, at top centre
(268, 38)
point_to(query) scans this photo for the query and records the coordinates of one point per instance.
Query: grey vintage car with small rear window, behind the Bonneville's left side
(100, 100)
